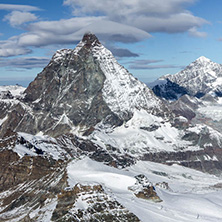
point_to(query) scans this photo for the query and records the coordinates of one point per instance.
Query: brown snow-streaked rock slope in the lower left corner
(29, 183)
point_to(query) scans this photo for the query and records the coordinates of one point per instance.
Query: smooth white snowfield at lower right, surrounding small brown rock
(191, 196)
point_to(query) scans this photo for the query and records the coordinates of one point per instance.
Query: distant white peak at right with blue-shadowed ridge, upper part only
(199, 78)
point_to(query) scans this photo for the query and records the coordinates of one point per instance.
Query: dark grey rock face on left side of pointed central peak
(72, 85)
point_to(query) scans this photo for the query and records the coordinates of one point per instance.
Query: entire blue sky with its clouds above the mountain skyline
(150, 38)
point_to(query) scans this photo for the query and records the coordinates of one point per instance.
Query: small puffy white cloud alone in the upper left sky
(17, 18)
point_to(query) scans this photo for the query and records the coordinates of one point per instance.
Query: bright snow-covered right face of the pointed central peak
(122, 92)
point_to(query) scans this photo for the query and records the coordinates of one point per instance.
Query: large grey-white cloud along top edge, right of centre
(168, 16)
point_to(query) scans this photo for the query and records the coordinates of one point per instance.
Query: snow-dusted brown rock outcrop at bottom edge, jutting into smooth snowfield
(89, 203)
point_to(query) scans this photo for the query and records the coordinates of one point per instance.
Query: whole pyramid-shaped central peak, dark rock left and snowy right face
(78, 89)
